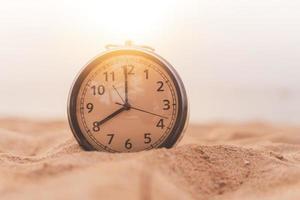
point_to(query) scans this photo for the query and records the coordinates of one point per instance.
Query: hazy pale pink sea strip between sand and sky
(207, 103)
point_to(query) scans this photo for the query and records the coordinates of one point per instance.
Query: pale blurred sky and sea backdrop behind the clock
(239, 59)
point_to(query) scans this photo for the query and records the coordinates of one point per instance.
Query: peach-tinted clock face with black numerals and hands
(126, 103)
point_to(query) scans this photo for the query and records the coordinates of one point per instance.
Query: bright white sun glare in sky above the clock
(131, 19)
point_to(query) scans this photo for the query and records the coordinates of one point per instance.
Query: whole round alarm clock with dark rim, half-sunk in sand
(127, 99)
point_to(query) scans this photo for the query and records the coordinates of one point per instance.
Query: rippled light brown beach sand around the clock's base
(41, 160)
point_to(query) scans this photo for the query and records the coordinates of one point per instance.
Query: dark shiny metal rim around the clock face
(181, 121)
